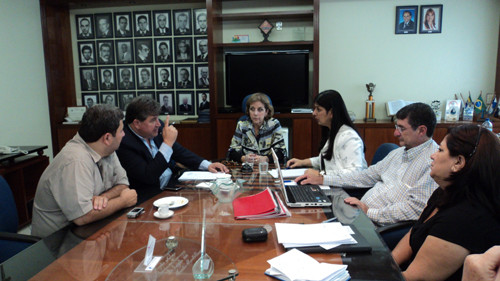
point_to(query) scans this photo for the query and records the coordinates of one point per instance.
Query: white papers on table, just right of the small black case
(325, 235)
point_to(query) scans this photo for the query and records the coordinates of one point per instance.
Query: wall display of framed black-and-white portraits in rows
(159, 51)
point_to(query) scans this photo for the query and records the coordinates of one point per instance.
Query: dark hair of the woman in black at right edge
(478, 181)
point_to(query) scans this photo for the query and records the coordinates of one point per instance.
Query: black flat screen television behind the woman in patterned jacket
(282, 75)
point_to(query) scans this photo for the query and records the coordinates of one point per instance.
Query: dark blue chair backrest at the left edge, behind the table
(8, 212)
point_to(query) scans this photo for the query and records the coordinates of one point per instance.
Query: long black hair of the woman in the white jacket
(332, 100)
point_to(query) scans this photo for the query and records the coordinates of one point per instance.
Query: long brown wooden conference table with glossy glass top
(114, 248)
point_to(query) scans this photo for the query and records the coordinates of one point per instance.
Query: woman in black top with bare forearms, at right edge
(462, 216)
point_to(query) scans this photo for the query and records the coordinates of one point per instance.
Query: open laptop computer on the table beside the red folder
(300, 195)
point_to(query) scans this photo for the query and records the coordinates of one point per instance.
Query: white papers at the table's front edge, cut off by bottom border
(295, 265)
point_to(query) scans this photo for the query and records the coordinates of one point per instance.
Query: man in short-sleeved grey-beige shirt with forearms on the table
(85, 182)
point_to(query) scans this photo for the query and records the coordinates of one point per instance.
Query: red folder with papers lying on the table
(262, 205)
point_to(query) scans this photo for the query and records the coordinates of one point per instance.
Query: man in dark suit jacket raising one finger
(149, 157)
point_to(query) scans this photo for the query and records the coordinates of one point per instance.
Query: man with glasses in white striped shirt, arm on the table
(401, 182)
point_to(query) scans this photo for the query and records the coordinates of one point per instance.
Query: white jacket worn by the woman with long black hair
(347, 155)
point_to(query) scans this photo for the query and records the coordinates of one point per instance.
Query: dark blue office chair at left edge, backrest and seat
(11, 243)
